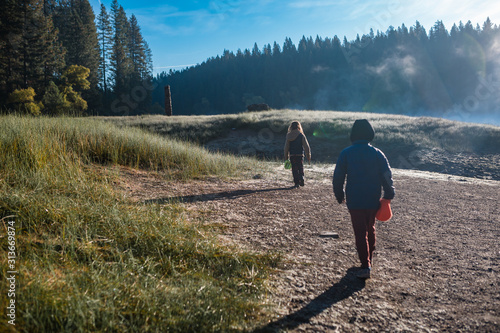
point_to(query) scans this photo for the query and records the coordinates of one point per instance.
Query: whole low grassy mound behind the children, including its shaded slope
(424, 143)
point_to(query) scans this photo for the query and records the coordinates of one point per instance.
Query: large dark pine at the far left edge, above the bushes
(31, 55)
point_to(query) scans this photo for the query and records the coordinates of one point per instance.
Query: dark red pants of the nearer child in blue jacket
(363, 223)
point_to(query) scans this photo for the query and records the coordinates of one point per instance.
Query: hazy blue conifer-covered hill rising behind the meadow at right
(404, 70)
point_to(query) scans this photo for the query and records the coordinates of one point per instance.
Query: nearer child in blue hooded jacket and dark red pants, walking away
(368, 172)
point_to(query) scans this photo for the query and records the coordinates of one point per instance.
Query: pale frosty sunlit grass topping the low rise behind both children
(393, 132)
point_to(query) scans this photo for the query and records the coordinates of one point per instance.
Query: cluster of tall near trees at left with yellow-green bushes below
(56, 57)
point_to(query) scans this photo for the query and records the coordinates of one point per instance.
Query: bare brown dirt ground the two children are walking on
(436, 267)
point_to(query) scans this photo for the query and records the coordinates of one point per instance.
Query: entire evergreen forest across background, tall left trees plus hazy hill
(58, 57)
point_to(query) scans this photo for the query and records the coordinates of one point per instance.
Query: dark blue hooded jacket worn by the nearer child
(366, 168)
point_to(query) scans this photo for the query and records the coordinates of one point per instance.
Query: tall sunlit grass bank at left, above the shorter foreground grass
(56, 140)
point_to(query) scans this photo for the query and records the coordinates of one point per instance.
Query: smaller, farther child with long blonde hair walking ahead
(296, 147)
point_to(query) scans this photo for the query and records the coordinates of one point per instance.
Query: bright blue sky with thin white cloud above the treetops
(184, 33)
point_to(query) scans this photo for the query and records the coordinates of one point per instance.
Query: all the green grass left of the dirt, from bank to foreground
(91, 260)
